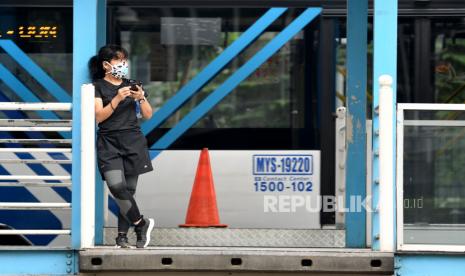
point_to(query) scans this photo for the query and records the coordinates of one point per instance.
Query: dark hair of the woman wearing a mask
(106, 53)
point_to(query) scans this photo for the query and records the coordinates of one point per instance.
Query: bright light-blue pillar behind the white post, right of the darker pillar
(384, 62)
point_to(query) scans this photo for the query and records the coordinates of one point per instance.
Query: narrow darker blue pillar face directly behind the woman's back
(99, 185)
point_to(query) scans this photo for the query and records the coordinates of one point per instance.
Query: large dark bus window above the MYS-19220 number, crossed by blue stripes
(272, 108)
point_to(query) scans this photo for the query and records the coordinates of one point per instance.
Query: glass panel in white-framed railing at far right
(434, 186)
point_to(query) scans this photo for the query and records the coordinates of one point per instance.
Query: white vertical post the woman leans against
(87, 167)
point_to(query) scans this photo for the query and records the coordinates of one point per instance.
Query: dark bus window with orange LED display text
(45, 36)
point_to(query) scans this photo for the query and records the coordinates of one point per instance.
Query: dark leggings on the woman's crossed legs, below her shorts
(123, 188)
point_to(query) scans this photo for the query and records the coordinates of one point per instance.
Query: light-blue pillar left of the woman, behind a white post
(84, 45)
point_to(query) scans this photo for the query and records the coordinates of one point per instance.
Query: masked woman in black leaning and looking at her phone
(121, 147)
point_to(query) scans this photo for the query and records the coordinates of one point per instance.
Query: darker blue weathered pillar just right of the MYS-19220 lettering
(357, 20)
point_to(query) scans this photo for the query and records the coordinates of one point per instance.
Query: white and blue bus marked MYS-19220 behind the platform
(285, 110)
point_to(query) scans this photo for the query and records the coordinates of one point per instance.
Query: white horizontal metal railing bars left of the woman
(35, 180)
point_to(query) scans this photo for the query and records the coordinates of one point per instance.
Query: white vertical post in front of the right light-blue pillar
(385, 204)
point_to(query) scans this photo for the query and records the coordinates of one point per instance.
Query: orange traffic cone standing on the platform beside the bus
(203, 211)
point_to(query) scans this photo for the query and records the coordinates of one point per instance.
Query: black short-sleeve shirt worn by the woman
(124, 117)
